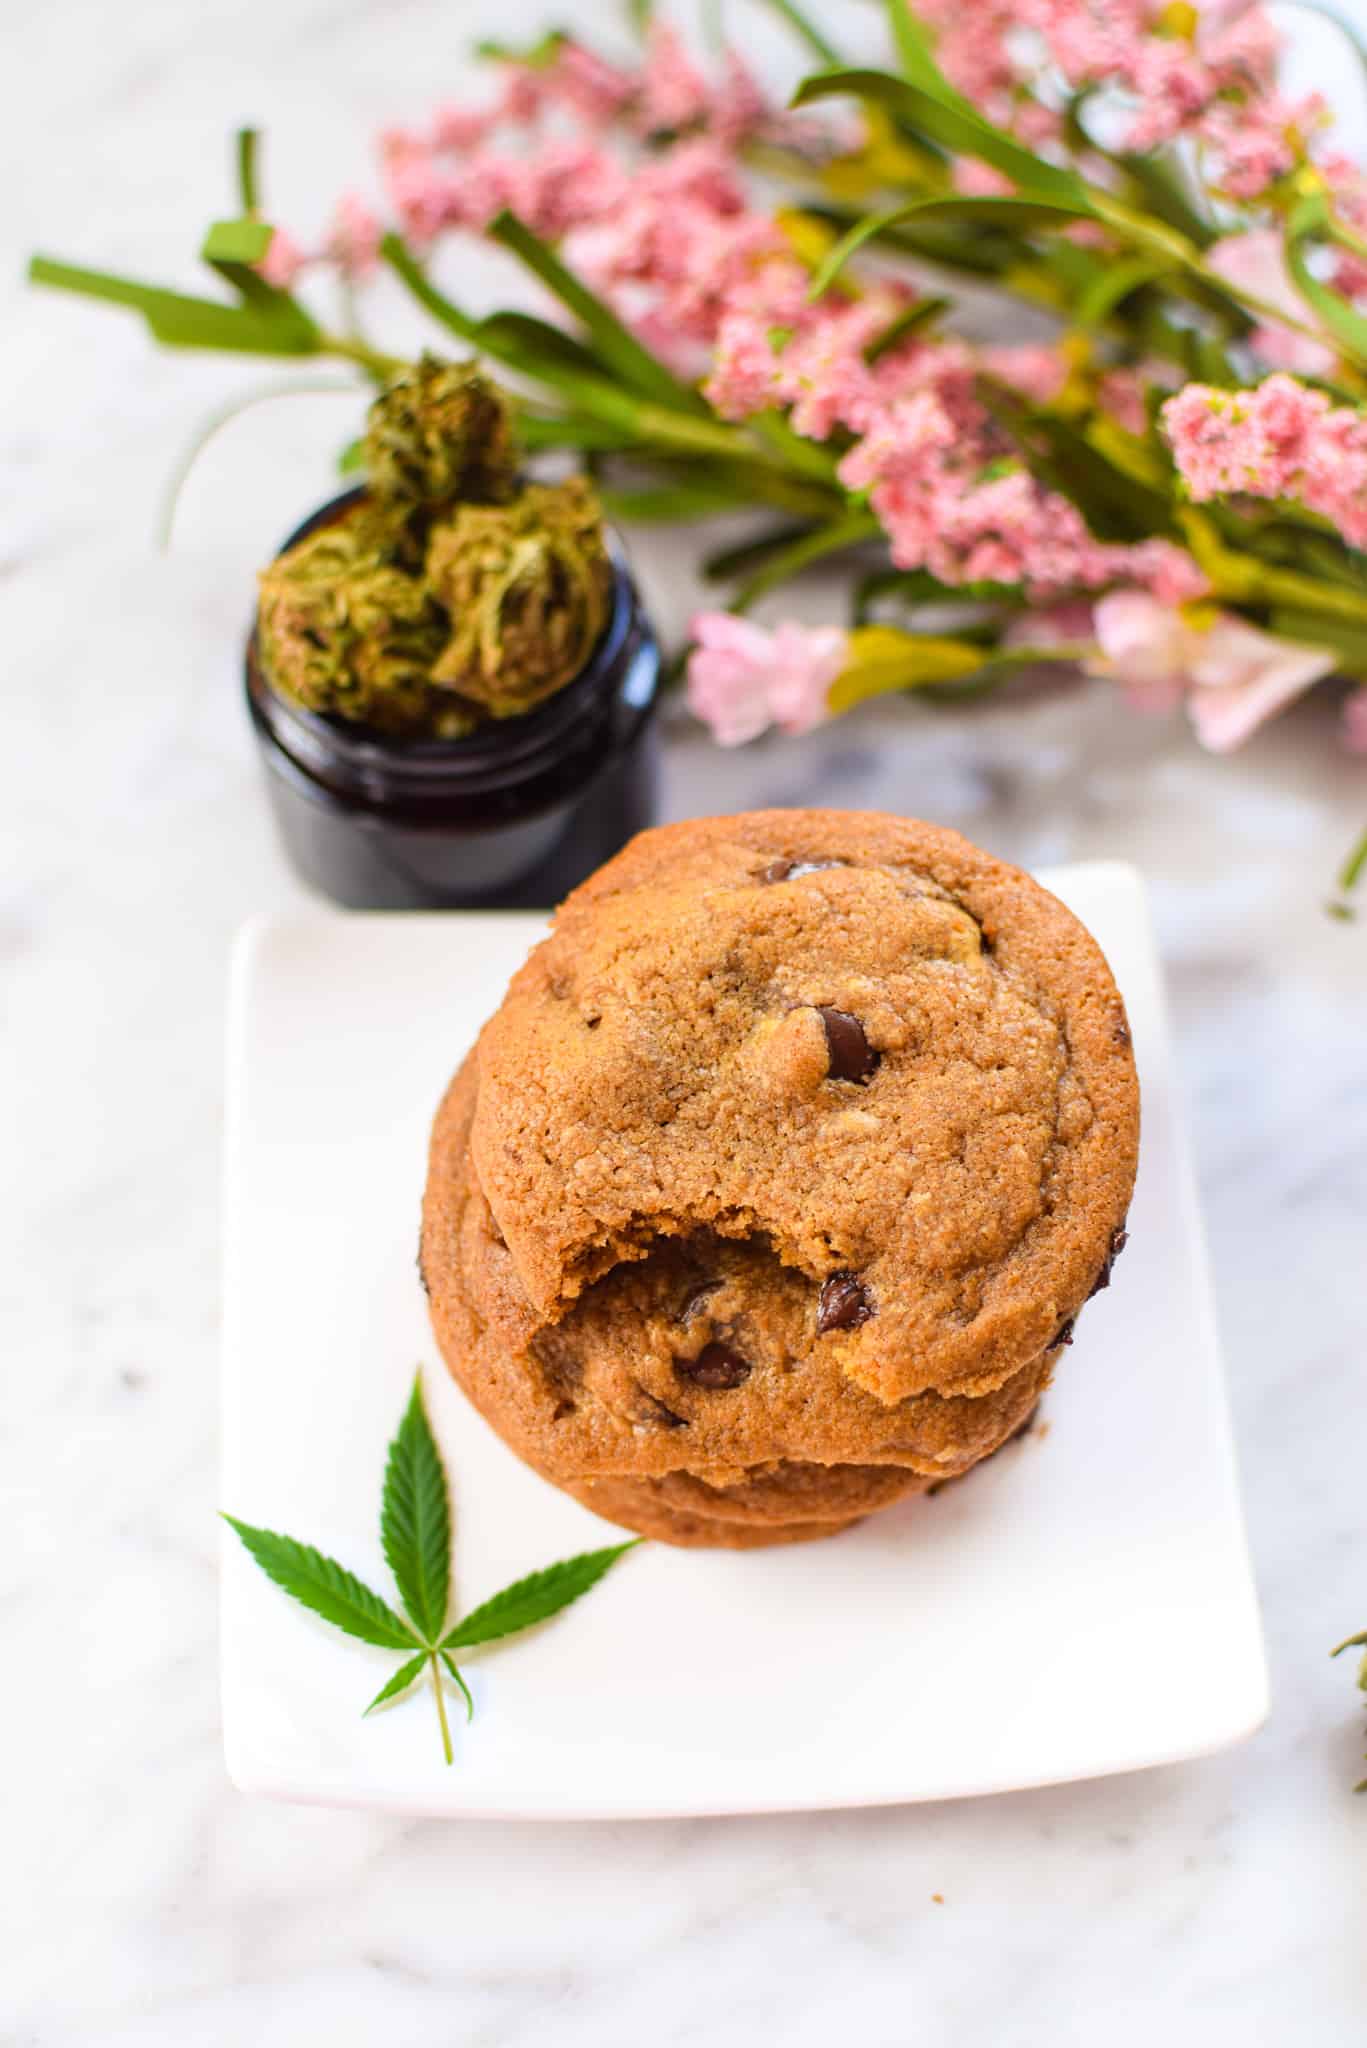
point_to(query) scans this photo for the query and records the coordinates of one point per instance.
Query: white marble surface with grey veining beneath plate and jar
(142, 1902)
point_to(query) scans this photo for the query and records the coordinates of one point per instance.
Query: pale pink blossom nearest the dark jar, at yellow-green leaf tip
(743, 679)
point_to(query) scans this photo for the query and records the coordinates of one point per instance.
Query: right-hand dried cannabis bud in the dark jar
(528, 587)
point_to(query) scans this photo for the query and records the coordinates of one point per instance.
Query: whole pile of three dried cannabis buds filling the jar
(446, 595)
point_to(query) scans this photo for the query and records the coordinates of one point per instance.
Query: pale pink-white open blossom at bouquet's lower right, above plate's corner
(1233, 675)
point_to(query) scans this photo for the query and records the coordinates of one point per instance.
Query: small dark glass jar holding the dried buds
(507, 818)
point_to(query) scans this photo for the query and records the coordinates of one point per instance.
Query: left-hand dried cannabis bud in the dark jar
(341, 630)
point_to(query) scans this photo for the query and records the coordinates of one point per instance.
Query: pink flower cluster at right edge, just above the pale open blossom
(1276, 441)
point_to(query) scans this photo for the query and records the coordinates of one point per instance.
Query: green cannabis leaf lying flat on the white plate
(415, 1531)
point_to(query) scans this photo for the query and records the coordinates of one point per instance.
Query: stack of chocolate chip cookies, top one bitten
(776, 1185)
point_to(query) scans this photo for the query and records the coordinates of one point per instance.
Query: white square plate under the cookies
(1083, 1605)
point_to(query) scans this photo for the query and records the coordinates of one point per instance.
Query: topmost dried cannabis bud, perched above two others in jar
(440, 433)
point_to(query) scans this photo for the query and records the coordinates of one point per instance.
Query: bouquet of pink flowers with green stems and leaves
(763, 308)
